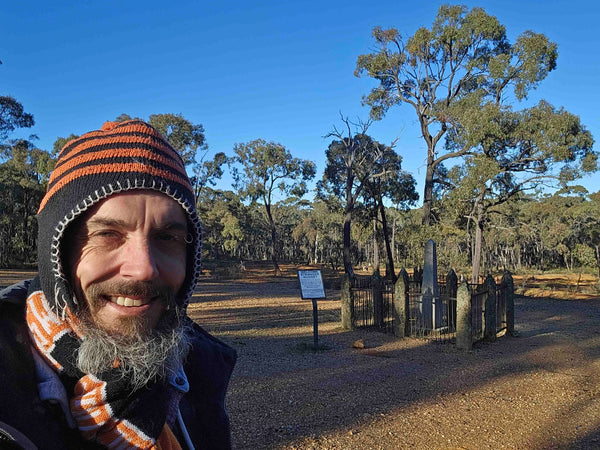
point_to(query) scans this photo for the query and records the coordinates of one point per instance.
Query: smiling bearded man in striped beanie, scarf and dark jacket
(97, 351)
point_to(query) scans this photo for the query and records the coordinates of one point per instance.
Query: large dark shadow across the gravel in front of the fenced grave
(279, 395)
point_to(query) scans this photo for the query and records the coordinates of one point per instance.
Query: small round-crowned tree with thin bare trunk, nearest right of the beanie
(260, 169)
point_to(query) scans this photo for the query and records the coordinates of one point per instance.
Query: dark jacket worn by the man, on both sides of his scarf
(208, 368)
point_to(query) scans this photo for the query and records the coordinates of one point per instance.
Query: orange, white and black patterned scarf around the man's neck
(103, 406)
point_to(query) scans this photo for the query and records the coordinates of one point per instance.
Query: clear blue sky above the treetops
(280, 71)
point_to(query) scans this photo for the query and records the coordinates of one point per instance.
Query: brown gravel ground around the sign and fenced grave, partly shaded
(536, 391)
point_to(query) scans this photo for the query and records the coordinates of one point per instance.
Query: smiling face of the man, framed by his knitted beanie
(127, 257)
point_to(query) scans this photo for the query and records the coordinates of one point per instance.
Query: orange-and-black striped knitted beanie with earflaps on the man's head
(119, 157)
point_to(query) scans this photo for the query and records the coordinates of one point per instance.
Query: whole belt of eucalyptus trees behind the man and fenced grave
(504, 184)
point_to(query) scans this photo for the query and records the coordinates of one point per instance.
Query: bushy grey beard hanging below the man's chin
(143, 357)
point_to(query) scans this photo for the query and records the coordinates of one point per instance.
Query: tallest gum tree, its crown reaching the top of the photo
(444, 71)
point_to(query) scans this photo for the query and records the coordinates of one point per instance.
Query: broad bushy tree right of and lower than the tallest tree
(517, 151)
